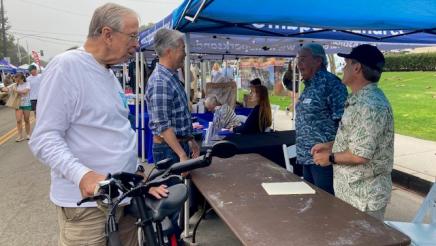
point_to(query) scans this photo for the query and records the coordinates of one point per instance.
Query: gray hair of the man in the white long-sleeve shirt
(109, 15)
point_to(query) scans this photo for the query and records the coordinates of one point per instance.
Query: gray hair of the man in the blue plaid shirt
(166, 39)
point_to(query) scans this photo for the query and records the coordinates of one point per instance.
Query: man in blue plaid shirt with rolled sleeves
(167, 103)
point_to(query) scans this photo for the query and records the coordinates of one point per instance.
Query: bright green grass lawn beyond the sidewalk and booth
(413, 99)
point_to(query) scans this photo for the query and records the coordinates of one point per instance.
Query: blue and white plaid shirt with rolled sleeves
(167, 103)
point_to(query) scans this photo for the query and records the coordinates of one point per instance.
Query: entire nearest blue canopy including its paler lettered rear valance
(256, 27)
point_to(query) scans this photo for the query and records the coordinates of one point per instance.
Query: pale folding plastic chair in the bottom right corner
(420, 233)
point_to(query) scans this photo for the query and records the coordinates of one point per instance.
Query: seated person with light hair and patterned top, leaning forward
(224, 116)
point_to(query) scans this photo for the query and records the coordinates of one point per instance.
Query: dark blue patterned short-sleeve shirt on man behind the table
(318, 112)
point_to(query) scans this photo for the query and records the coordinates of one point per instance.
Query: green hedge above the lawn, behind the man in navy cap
(411, 62)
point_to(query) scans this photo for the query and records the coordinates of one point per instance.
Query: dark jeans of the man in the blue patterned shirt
(321, 177)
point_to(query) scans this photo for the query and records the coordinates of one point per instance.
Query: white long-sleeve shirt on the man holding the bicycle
(82, 124)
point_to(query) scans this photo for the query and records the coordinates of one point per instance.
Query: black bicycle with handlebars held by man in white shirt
(131, 185)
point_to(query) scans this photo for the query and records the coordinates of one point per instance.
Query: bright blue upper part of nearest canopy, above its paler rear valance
(394, 21)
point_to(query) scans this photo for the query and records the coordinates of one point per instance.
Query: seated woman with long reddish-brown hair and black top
(260, 117)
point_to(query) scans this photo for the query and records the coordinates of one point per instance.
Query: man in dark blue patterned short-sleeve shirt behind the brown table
(318, 112)
